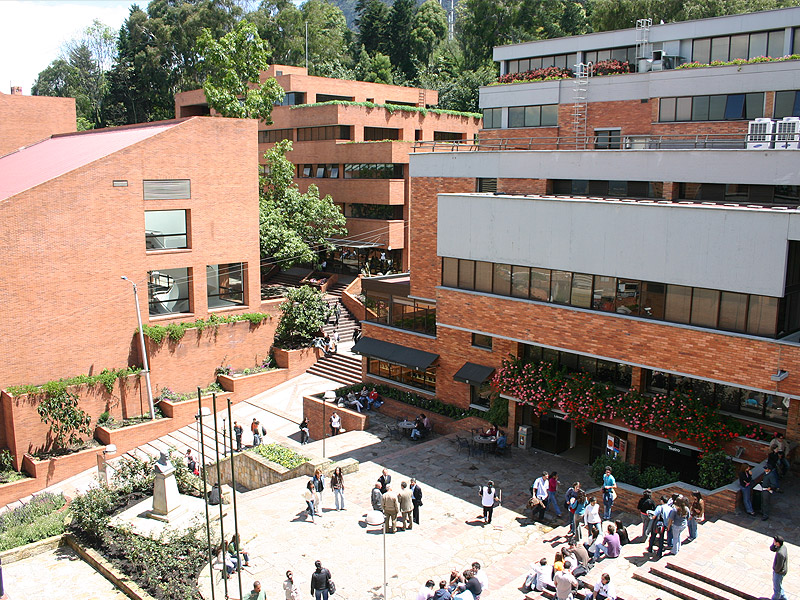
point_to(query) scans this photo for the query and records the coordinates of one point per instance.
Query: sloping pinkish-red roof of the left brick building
(51, 158)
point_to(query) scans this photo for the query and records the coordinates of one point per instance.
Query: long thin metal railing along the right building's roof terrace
(710, 141)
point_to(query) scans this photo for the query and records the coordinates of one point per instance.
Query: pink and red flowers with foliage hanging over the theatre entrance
(674, 416)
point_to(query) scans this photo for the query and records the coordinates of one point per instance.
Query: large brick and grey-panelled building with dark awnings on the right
(645, 262)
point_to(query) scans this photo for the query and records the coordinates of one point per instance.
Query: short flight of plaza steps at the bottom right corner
(689, 584)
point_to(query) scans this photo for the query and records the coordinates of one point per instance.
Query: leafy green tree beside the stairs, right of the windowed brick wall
(294, 226)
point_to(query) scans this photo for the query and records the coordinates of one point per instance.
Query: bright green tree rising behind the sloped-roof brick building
(232, 66)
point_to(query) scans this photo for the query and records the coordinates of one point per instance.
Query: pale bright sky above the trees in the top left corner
(33, 31)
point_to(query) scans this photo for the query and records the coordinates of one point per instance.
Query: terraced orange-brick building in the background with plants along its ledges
(351, 145)
